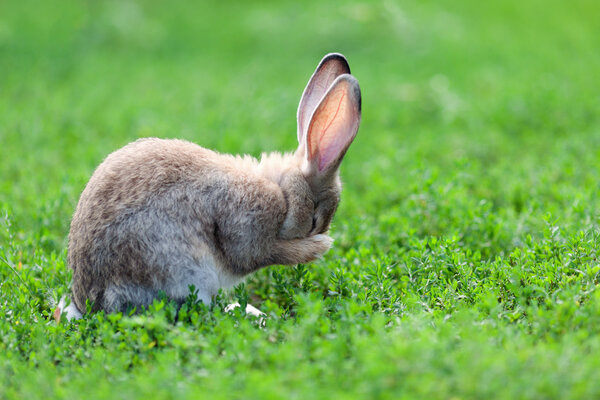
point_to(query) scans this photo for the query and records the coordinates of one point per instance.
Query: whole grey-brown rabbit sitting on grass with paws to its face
(160, 215)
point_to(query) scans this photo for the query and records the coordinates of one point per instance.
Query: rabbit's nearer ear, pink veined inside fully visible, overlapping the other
(333, 125)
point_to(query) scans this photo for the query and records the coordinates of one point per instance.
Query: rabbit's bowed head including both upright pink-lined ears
(328, 120)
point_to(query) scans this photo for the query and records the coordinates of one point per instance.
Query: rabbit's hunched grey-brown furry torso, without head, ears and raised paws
(158, 215)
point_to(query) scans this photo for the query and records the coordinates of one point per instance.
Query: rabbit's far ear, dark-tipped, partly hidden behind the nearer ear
(330, 67)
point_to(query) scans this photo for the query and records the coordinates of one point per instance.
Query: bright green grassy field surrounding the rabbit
(466, 263)
